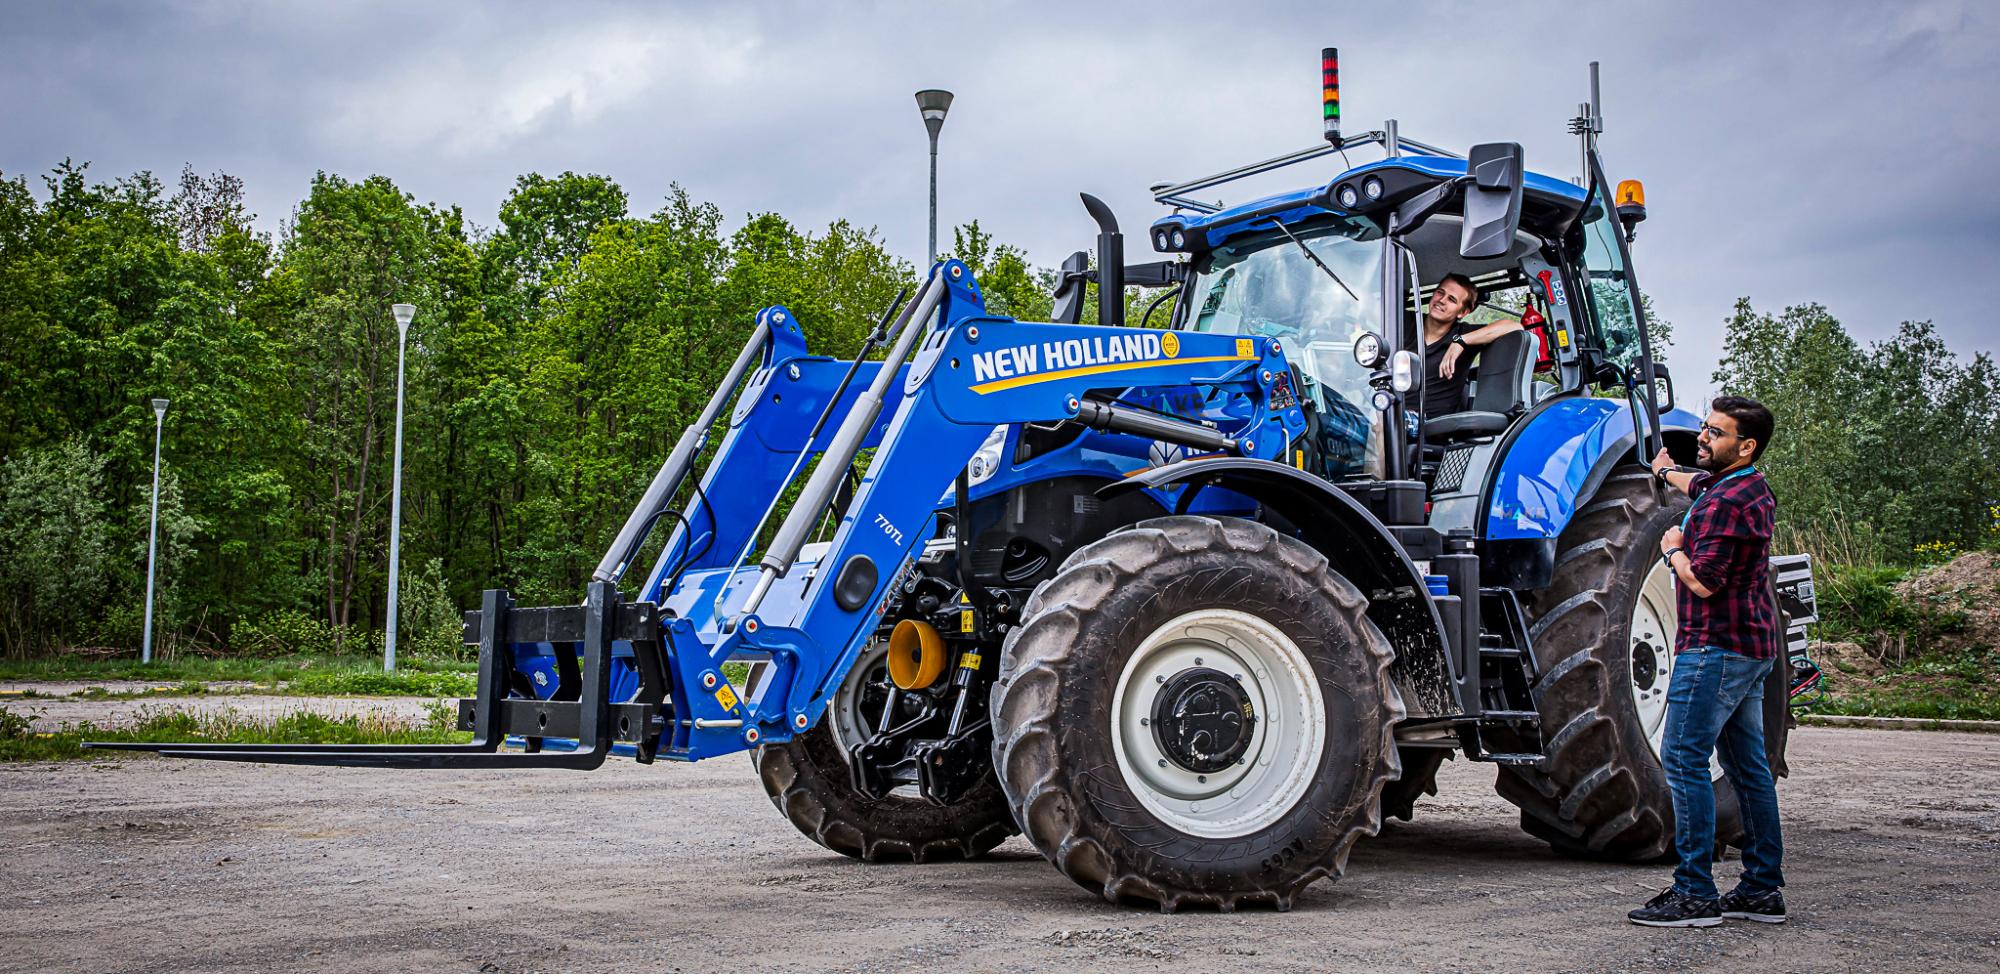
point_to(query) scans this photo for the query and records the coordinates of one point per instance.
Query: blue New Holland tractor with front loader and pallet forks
(1191, 605)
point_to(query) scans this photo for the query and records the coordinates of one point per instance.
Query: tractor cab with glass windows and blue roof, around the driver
(1341, 273)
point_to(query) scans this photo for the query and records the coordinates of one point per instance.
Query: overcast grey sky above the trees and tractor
(1839, 153)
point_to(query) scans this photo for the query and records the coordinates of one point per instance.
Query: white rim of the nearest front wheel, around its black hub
(1287, 741)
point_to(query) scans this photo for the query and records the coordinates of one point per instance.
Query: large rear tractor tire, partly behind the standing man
(1603, 643)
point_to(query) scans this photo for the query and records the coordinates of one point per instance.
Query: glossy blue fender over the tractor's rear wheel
(1549, 469)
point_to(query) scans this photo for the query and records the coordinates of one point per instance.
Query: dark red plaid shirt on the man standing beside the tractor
(1729, 547)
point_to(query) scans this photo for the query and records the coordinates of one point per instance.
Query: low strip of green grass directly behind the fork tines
(67, 743)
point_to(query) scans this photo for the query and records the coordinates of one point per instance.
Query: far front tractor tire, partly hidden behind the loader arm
(809, 781)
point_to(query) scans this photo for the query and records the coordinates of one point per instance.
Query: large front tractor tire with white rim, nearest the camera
(1197, 713)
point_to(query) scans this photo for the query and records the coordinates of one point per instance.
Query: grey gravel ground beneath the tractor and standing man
(151, 865)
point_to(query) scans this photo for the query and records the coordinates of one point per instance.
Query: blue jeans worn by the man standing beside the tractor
(1715, 705)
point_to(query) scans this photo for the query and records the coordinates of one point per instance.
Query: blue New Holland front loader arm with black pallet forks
(951, 377)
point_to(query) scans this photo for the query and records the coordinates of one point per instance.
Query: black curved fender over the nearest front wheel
(1359, 545)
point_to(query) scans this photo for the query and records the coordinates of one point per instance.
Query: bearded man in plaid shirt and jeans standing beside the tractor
(1727, 643)
